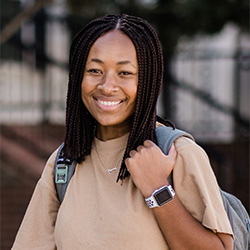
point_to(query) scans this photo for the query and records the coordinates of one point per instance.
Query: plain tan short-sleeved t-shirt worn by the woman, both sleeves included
(98, 213)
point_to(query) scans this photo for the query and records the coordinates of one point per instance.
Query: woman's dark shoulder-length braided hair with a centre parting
(80, 125)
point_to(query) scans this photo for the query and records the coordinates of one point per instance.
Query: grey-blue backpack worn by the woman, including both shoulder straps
(237, 214)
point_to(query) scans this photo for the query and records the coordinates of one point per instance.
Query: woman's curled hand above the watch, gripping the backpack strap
(149, 167)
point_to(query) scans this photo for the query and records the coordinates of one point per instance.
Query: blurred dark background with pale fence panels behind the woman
(206, 45)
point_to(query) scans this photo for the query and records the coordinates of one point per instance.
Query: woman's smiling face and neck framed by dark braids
(109, 84)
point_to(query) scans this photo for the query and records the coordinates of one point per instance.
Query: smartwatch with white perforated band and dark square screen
(161, 197)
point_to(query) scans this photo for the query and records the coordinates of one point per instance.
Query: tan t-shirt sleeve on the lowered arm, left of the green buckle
(37, 228)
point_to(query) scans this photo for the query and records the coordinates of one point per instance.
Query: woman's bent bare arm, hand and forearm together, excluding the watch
(149, 169)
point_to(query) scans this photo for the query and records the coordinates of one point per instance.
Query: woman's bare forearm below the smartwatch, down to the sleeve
(182, 231)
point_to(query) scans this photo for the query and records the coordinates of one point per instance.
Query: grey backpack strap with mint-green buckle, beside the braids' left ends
(63, 171)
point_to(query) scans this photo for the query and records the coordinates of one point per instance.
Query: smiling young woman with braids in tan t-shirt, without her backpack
(115, 76)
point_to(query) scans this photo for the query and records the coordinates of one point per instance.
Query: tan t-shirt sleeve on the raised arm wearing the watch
(197, 188)
